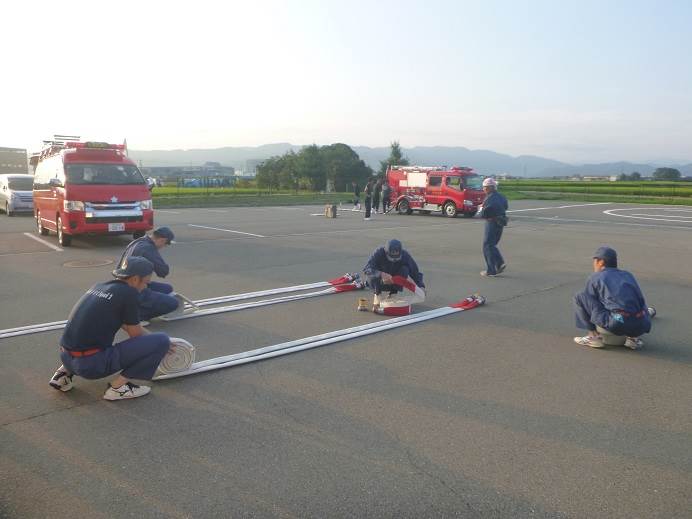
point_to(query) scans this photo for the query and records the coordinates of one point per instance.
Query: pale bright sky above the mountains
(578, 81)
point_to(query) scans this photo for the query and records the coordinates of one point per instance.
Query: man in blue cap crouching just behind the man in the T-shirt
(157, 298)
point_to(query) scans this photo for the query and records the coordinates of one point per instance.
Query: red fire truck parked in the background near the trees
(427, 189)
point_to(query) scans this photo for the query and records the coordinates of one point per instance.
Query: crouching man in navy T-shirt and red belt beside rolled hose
(86, 347)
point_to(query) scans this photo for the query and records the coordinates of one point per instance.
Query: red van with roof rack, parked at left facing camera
(89, 188)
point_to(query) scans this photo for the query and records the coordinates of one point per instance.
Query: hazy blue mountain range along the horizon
(483, 161)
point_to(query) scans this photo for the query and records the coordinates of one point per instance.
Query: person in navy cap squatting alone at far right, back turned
(612, 301)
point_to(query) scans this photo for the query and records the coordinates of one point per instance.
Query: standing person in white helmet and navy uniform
(494, 210)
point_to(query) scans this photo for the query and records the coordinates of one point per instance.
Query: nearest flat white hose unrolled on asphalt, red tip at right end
(323, 339)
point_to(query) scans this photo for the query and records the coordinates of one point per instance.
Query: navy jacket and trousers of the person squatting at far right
(612, 300)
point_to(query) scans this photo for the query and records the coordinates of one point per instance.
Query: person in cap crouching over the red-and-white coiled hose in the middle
(391, 260)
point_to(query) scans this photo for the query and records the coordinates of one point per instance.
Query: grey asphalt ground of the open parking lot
(489, 413)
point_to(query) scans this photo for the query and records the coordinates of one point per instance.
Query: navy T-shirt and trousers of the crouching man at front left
(86, 347)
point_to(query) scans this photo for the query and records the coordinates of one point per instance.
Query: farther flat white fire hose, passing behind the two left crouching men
(341, 284)
